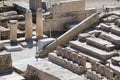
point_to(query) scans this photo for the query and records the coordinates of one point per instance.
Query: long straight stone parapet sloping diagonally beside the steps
(71, 34)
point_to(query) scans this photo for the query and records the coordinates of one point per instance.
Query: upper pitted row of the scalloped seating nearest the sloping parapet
(73, 56)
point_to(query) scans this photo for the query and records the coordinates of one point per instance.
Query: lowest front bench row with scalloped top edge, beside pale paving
(74, 67)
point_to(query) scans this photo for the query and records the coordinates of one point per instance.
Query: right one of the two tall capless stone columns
(39, 23)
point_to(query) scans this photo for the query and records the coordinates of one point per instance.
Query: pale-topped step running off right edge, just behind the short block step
(110, 37)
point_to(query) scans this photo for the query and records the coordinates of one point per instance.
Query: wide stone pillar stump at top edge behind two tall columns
(35, 4)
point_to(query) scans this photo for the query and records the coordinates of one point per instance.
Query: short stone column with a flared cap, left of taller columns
(13, 30)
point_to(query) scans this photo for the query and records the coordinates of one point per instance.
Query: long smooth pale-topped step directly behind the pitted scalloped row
(91, 50)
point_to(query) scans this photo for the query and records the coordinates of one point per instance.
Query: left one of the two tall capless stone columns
(28, 25)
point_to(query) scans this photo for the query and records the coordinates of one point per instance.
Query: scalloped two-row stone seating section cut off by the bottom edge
(99, 71)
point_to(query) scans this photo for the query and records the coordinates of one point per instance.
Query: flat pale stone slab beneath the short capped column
(13, 47)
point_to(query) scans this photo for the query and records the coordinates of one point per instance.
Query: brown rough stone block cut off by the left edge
(5, 63)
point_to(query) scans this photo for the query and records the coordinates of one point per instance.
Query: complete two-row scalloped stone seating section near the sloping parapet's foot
(70, 60)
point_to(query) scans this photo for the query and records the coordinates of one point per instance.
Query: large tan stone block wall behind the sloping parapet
(67, 12)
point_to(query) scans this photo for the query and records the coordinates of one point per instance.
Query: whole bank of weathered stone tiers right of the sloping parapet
(96, 47)
